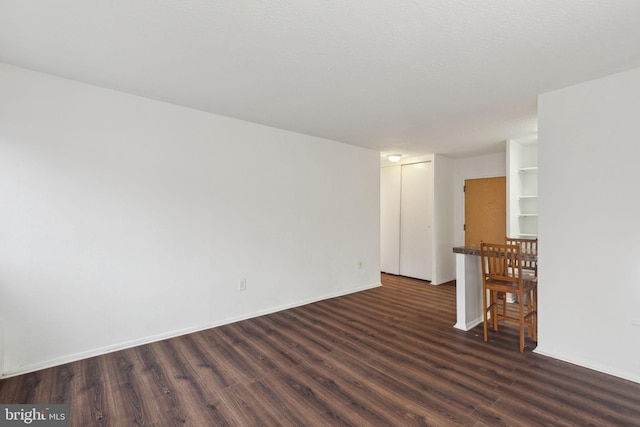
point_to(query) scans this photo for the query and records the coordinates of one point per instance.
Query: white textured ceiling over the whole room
(450, 77)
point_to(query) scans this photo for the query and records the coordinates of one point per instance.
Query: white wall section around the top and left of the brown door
(487, 166)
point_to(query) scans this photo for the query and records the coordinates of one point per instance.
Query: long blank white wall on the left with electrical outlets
(124, 220)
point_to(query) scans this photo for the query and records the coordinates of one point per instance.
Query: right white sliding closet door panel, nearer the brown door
(416, 220)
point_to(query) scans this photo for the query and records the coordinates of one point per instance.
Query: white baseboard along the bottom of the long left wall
(25, 369)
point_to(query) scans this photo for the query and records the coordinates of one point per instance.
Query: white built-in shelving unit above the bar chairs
(522, 187)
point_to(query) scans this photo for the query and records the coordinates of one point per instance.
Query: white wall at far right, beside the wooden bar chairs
(589, 206)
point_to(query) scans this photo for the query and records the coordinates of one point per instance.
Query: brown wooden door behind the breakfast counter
(485, 210)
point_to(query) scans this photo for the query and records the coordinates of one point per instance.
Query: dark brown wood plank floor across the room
(387, 356)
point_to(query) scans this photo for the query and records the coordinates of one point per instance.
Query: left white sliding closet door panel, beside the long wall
(390, 219)
